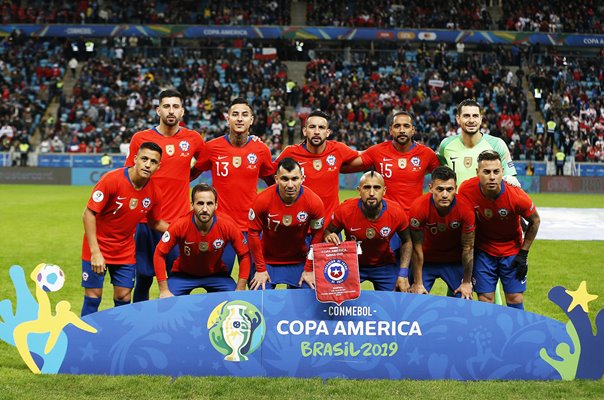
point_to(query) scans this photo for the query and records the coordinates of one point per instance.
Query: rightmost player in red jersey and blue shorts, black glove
(501, 251)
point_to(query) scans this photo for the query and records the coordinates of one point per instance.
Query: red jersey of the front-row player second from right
(442, 235)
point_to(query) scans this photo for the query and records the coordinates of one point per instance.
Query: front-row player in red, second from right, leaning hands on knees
(442, 231)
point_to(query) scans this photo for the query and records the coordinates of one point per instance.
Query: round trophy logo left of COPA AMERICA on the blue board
(236, 328)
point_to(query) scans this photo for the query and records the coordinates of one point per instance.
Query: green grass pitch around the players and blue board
(44, 224)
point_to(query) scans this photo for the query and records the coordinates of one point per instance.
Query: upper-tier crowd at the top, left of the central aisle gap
(208, 12)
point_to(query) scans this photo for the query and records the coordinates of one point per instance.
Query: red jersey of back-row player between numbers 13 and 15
(322, 171)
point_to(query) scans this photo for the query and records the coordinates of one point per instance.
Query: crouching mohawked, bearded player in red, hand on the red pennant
(373, 221)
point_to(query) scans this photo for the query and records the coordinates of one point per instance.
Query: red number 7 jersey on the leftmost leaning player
(119, 208)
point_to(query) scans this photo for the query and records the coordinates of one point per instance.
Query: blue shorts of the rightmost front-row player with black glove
(488, 268)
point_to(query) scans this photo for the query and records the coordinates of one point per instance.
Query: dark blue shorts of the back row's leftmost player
(146, 239)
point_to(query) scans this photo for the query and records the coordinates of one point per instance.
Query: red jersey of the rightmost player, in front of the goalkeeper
(498, 230)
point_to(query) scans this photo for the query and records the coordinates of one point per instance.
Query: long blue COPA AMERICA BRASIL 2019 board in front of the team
(287, 333)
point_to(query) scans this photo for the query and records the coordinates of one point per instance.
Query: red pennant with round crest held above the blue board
(336, 270)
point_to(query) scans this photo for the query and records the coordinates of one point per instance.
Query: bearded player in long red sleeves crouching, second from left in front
(201, 236)
